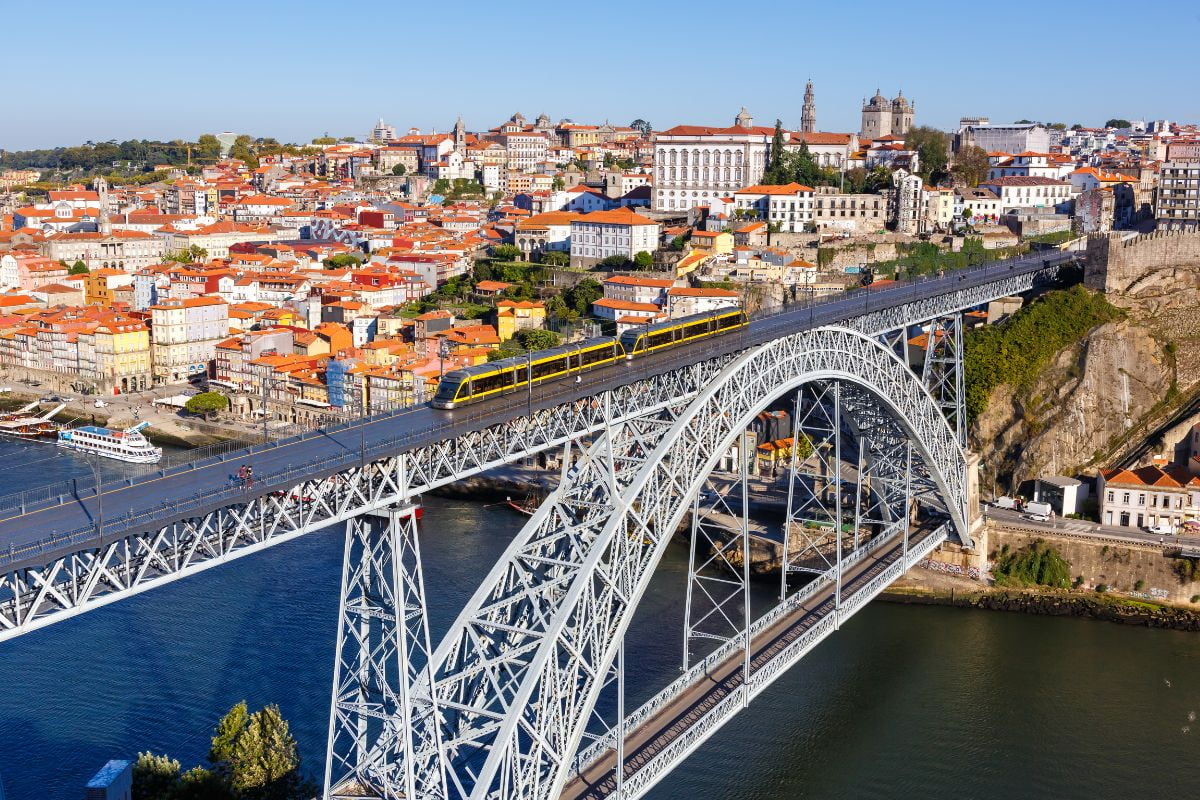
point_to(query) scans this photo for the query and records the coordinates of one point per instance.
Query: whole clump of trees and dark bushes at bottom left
(253, 757)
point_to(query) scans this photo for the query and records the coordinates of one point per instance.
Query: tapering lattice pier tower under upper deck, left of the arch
(382, 708)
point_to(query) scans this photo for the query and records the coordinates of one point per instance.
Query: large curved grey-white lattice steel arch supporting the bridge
(518, 676)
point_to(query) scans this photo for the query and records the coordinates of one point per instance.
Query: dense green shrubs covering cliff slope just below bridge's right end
(1017, 351)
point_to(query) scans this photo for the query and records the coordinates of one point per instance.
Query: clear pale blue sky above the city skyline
(296, 70)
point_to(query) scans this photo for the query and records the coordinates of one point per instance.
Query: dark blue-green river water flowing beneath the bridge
(904, 702)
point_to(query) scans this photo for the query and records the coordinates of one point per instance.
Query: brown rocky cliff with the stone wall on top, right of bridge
(1111, 387)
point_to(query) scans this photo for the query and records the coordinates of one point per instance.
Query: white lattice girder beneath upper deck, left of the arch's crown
(33, 597)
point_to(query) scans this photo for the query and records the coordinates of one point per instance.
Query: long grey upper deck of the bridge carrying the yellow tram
(35, 531)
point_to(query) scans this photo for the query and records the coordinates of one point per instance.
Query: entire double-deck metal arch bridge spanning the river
(506, 705)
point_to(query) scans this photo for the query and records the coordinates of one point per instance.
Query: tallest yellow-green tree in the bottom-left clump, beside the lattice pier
(266, 765)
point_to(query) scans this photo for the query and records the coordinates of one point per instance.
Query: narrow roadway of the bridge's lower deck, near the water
(598, 780)
